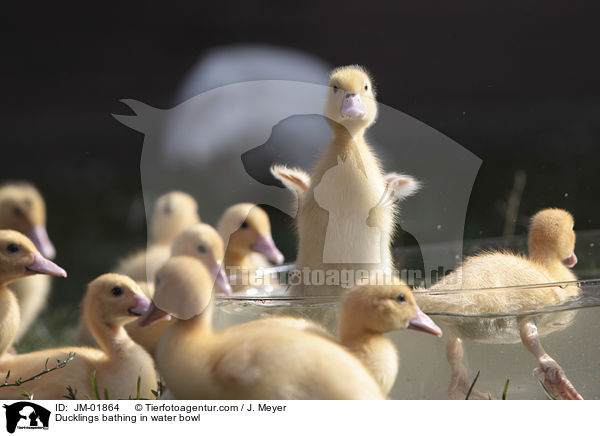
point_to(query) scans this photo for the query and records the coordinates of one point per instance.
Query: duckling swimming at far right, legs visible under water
(551, 254)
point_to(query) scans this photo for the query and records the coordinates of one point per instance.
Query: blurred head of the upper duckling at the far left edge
(22, 208)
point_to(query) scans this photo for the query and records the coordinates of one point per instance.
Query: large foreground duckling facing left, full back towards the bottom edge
(244, 361)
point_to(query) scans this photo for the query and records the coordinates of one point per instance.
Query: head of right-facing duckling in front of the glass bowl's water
(383, 308)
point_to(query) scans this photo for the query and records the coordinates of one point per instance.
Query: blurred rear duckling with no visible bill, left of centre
(173, 212)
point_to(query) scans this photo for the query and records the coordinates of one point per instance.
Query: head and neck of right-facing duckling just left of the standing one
(246, 231)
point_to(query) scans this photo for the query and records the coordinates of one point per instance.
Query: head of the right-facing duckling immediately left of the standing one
(249, 230)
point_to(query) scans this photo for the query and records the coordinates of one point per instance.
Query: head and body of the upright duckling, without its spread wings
(342, 222)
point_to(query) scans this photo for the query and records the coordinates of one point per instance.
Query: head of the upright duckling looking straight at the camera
(351, 100)
